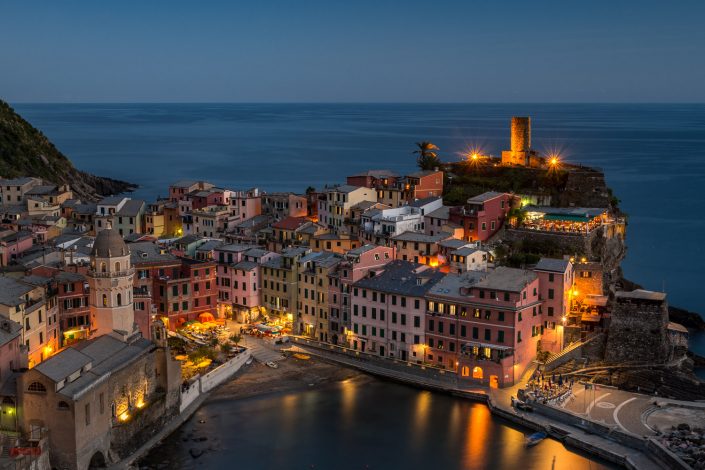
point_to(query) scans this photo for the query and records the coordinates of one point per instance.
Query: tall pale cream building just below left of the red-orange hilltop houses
(334, 207)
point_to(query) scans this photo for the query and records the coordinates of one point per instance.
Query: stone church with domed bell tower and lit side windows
(99, 398)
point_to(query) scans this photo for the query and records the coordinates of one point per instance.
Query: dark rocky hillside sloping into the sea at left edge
(25, 151)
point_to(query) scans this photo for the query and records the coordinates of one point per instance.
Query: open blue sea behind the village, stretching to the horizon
(653, 156)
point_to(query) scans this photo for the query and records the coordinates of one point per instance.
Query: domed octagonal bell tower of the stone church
(111, 280)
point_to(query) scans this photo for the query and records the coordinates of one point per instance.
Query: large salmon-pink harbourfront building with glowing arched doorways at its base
(485, 326)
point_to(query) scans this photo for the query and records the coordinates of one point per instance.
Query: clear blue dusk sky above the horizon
(352, 51)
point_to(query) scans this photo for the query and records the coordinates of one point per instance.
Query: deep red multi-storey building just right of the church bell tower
(186, 292)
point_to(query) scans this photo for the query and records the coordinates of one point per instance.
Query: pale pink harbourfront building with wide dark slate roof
(388, 310)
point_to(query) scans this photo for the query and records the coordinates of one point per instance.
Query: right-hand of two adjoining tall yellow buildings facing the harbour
(313, 290)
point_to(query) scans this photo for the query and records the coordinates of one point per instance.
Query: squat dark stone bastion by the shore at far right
(638, 331)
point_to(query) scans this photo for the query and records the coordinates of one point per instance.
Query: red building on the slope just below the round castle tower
(482, 216)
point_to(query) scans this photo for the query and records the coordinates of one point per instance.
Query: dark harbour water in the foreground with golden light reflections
(357, 426)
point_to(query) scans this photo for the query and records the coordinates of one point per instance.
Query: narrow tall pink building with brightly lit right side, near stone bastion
(556, 278)
